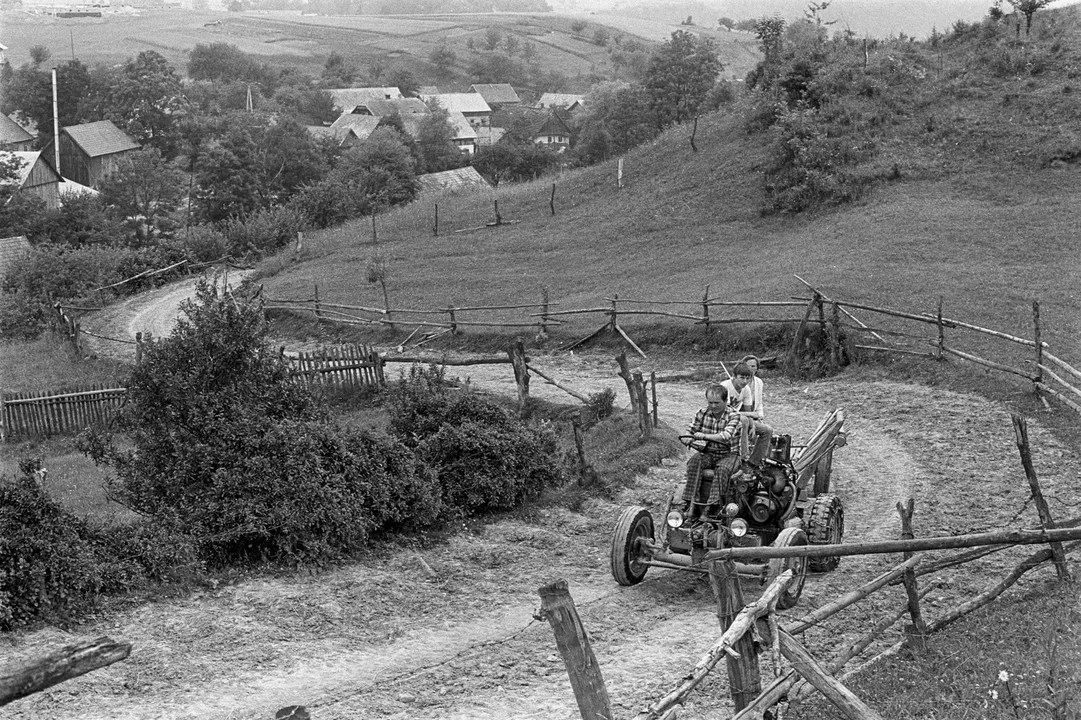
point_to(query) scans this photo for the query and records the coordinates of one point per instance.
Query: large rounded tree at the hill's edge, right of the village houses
(680, 75)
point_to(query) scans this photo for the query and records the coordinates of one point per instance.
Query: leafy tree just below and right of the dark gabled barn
(144, 193)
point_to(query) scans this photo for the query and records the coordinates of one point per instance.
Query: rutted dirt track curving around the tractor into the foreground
(451, 635)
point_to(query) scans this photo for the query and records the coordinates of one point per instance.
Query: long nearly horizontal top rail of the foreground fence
(885, 548)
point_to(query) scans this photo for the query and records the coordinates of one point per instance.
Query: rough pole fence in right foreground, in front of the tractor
(741, 624)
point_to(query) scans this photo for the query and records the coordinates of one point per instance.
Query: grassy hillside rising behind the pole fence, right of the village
(984, 209)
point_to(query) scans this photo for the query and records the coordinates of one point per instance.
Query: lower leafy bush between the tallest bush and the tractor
(486, 459)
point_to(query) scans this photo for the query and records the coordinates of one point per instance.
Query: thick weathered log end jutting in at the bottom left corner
(70, 662)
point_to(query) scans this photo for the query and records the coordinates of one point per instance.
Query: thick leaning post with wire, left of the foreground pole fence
(557, 607)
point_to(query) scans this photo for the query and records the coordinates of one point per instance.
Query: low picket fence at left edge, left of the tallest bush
(30, 415)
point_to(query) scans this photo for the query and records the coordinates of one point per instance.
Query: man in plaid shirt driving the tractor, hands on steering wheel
(719, 426)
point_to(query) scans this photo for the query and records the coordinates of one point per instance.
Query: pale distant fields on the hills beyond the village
(564, 45)
